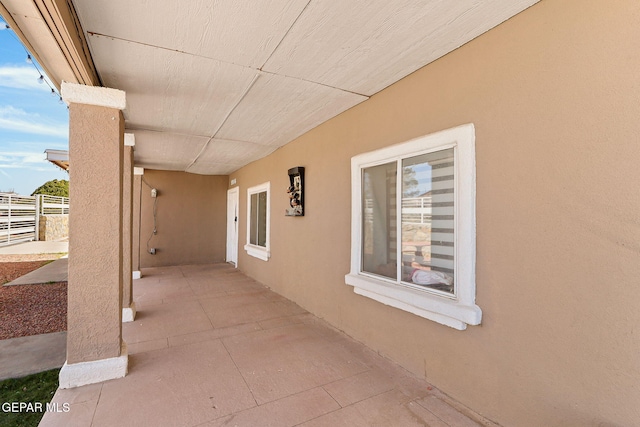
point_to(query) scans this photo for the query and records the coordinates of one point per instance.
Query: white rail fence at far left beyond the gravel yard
(19, 215)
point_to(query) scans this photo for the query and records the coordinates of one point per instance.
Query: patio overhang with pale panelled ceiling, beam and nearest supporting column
(205, 88)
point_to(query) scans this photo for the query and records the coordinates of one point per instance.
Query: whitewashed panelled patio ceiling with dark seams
(213, 85)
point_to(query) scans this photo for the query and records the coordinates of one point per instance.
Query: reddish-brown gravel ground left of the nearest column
(30, 309)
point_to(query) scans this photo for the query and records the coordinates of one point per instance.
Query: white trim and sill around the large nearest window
(455, 311)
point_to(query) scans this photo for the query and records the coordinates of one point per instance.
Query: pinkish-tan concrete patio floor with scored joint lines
(212, 347)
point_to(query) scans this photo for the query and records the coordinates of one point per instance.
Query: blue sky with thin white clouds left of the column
(31, 120)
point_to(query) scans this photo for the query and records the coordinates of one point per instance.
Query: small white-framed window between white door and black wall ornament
(258, 224)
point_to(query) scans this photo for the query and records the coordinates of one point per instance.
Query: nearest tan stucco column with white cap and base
(95, 350)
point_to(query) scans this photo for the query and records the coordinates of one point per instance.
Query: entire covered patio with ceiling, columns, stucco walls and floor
(186, 120)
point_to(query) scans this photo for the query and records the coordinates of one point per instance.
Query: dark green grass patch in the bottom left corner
(36, 388)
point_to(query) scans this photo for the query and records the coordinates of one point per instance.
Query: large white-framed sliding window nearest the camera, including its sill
(413, 226)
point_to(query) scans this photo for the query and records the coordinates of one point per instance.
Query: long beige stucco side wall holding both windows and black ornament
(554, 95)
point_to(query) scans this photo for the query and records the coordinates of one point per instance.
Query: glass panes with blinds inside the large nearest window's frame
(426, 205)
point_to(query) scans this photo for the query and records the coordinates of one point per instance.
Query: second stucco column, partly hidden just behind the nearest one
(128, 306)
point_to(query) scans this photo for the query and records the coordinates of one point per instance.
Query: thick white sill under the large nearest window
(450, 312)
